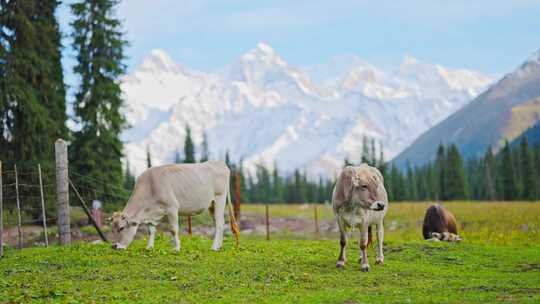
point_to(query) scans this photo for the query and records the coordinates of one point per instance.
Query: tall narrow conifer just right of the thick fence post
(99, 48)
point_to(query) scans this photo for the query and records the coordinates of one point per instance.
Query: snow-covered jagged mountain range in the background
(263, 109)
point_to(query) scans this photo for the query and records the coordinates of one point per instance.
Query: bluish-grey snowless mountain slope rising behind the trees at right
(504, 112)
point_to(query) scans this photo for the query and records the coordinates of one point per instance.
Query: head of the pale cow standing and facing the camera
(368, 188)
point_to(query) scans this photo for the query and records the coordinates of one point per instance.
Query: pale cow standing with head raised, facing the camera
(360, 201)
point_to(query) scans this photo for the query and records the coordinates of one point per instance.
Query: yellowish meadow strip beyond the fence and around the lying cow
(499, 223)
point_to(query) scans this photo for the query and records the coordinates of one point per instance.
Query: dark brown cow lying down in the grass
(440, 225)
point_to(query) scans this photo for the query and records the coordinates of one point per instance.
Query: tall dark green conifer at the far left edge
(32, 94)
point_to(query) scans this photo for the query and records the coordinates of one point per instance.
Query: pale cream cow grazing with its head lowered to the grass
(170, 190)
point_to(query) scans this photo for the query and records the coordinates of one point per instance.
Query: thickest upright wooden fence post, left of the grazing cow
(62, 191)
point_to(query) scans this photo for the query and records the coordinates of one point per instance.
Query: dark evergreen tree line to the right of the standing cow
(509, 175)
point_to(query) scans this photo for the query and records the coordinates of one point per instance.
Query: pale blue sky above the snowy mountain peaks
(490, 36)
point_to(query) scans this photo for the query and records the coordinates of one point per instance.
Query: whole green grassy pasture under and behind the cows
(498, 261)
